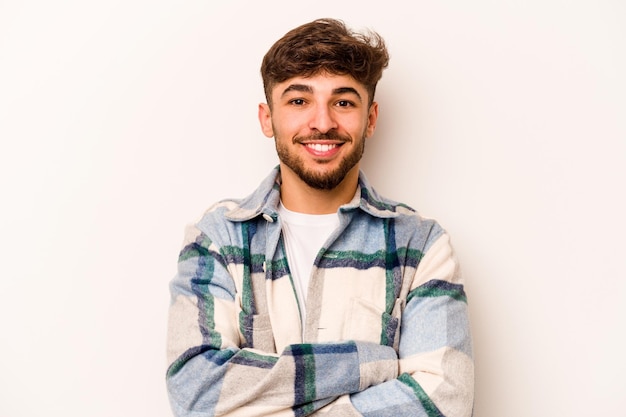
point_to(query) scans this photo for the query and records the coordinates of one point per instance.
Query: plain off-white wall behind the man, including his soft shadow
(122, 121)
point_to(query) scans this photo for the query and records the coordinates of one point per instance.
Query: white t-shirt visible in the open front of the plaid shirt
(304, 236)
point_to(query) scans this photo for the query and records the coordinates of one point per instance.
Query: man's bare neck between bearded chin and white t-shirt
(297, 196)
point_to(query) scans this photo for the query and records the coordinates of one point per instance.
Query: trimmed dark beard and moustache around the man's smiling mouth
(325, 179)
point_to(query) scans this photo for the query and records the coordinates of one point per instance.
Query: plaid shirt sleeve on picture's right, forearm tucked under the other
(436, 372)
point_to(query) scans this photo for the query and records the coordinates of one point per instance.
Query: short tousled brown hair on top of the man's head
(325, 45)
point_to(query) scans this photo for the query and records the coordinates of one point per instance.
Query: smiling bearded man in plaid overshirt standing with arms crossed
(315, 295)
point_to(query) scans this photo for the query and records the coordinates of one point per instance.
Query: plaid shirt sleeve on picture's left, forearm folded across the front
(209, 373)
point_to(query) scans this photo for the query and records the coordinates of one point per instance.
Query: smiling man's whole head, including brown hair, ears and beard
(319, 81)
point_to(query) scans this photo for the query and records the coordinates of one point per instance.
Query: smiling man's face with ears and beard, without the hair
(320, 124)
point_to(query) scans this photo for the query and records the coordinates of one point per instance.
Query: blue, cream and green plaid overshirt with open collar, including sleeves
(386, 331)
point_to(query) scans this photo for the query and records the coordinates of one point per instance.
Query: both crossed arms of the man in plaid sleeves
(209, 374)
